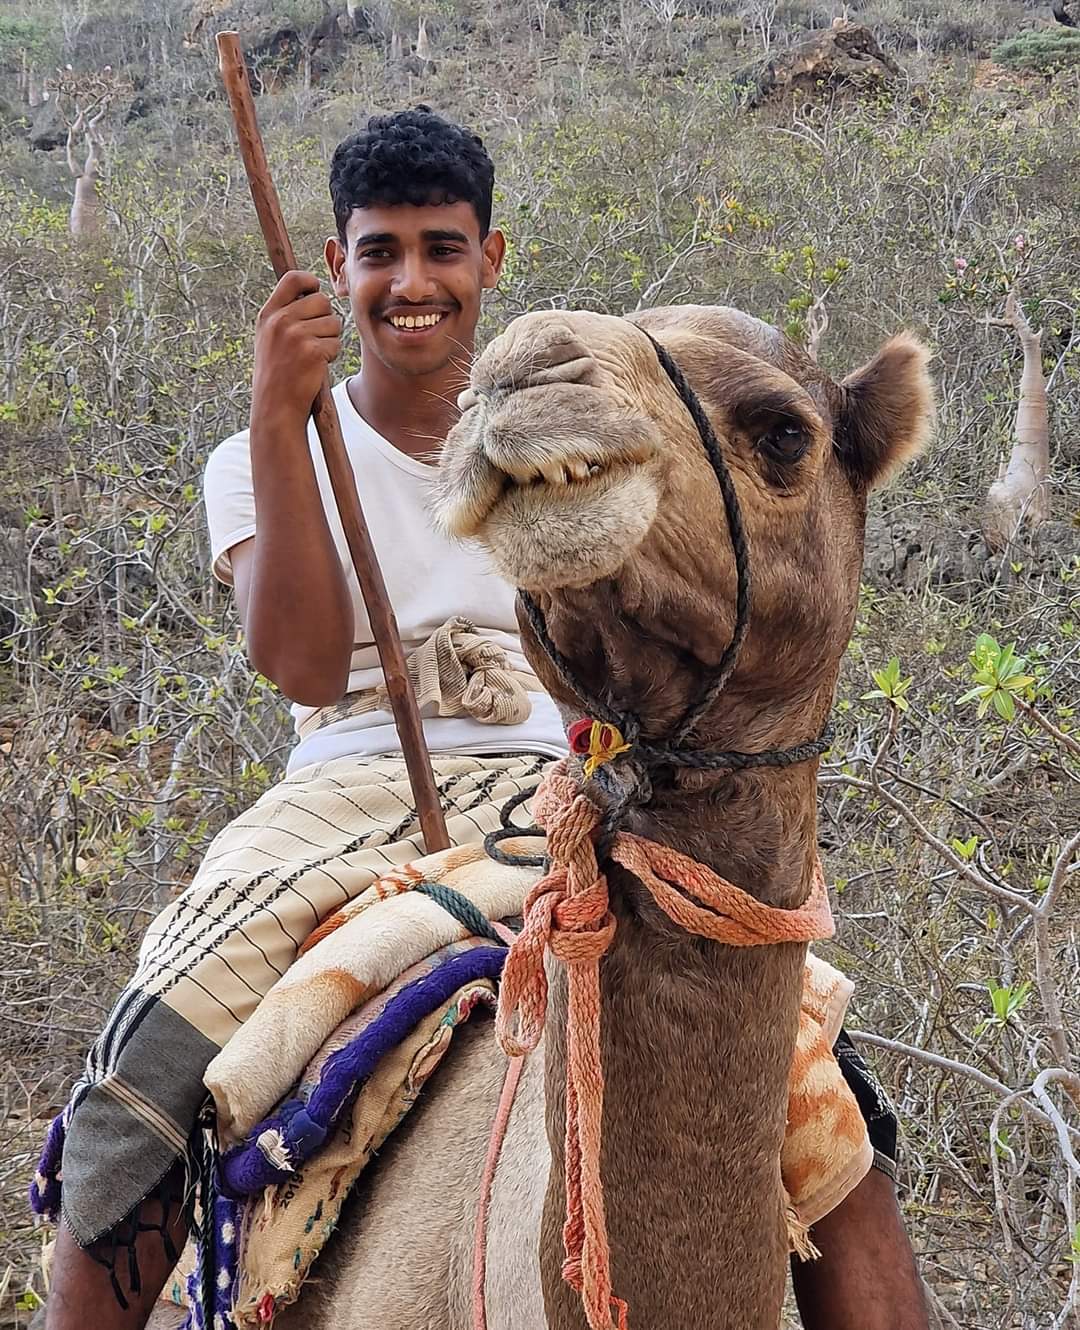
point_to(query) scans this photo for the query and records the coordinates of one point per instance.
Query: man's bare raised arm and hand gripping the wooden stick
(291, 586)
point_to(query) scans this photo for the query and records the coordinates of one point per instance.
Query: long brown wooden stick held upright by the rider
(380, 611)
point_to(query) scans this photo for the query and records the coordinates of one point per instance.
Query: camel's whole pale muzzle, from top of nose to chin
(555, 465)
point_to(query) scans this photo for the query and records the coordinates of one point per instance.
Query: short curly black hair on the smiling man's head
(412, 158)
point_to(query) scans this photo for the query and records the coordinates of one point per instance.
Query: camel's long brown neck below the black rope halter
(698, 1042)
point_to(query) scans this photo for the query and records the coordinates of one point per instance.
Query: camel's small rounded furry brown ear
(886, 410)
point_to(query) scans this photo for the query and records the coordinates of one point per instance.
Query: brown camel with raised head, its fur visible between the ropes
(634, 569)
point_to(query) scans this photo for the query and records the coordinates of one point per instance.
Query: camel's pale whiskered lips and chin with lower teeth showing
(551, 514)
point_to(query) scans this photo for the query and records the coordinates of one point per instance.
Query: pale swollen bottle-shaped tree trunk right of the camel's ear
(1019, 498)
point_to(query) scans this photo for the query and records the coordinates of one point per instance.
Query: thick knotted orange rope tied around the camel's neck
(569, 914)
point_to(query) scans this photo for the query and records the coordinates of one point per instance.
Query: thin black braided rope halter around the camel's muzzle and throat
(643, 755)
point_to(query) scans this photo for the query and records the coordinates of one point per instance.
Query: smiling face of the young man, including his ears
(414, 277)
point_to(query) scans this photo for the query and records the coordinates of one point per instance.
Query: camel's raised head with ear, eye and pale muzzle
(579, 467)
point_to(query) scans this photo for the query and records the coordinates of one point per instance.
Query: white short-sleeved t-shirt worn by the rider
(429, 579)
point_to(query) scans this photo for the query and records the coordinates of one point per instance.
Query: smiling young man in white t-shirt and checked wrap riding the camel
(414, 252)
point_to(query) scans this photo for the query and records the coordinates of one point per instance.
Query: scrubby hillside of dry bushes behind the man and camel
(631, 174)
